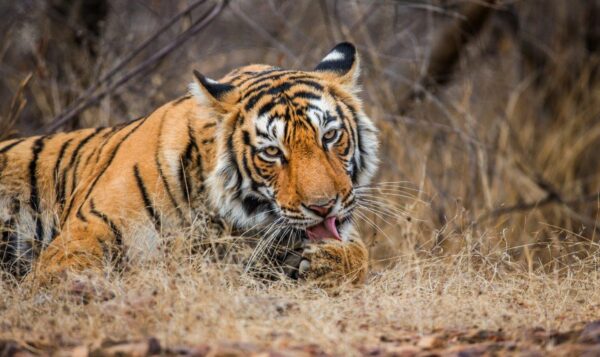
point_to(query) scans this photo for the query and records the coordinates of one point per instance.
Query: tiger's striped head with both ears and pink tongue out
(292, 145)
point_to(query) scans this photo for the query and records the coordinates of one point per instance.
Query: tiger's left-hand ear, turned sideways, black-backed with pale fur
(211, 93)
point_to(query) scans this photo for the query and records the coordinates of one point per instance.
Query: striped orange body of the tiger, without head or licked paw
(82, 183)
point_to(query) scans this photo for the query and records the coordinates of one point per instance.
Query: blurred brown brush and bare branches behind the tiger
(489, 110)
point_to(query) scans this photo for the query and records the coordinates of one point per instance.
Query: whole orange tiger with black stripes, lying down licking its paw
(274, 152)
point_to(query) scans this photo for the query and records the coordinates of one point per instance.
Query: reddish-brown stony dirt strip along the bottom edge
(533, 342)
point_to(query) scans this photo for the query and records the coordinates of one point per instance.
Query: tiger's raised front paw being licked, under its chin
(333, 264)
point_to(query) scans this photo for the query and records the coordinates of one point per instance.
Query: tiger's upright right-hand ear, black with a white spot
(341, 64)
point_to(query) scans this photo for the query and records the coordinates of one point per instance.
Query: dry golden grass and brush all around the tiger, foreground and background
(486, 236)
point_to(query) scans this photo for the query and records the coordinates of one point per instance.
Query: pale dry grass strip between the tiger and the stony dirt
(185, 302)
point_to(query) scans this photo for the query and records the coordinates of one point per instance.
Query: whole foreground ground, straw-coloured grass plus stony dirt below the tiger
(412, 307)
